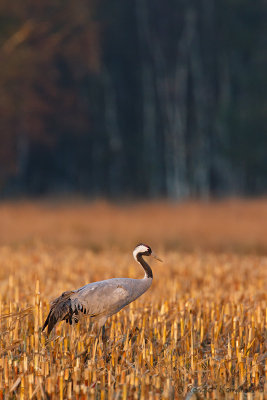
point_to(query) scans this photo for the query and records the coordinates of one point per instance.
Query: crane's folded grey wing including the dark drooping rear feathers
(93, 300)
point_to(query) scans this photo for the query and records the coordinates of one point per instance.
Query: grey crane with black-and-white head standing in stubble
(100, 300)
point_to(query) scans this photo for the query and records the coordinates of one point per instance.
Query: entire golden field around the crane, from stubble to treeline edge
(199, 332)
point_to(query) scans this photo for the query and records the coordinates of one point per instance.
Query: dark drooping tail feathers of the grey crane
(60, 308)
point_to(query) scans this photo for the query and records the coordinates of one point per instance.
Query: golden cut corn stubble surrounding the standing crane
(198, 332)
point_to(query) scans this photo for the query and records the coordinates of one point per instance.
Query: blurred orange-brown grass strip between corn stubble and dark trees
(238, 225)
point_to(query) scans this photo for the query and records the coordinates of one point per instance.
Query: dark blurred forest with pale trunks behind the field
(133, 98)
